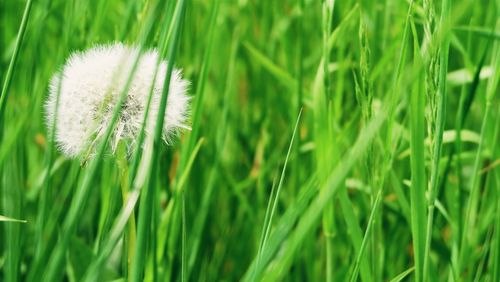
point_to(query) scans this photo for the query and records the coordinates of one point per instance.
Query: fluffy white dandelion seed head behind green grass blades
(90, 86)
